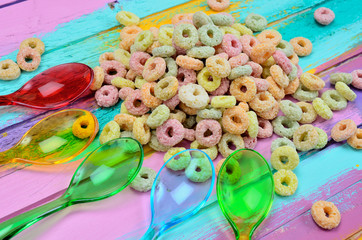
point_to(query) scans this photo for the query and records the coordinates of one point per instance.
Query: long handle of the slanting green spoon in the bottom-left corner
(13, 226)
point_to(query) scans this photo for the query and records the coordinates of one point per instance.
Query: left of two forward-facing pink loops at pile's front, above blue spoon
(170, 133)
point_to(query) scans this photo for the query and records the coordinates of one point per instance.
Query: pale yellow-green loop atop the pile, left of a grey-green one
(192, 36)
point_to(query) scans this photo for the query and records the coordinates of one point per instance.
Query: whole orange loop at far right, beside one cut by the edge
(343, 130)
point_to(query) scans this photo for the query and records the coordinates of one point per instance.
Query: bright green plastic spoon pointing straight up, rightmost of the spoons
(245, 191)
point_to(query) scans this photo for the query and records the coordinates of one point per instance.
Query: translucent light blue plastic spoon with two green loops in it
(178, 195)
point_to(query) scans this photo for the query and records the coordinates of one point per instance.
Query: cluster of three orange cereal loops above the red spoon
(28, 59)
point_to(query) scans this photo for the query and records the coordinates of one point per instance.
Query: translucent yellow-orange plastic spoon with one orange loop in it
(51, 140)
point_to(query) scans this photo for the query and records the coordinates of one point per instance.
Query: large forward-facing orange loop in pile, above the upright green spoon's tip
(235, 120)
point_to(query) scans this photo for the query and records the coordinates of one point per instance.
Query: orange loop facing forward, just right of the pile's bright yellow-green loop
(243, 89)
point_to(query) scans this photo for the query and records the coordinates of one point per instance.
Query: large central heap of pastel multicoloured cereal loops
(209, 80)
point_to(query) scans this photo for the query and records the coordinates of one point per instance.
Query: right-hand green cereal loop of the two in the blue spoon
(202, 175)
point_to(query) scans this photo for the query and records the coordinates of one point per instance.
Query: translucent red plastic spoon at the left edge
(53, 88)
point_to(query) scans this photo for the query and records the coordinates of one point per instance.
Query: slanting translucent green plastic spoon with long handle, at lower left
(105, 172)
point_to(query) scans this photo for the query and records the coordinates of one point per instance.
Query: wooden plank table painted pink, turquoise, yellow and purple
(80, 30)
